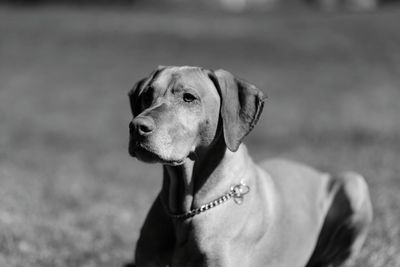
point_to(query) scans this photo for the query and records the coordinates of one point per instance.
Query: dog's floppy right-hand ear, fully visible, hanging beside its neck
(241, 106)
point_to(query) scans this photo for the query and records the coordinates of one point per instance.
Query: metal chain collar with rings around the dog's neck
(236, 192)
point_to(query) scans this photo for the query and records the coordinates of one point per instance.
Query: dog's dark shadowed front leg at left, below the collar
(156, 242)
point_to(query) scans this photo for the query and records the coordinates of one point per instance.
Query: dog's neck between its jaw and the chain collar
(203, 178)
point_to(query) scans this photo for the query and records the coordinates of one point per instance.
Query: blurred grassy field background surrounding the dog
(69, 193)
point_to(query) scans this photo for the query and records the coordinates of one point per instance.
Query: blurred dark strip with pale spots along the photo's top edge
(231, 5)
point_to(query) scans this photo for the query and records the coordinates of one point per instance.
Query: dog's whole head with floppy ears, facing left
(177, 110)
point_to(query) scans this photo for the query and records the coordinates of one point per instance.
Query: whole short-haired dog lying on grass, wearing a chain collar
(216, 206)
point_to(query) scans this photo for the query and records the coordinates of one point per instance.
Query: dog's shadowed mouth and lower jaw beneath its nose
(144, 153)
